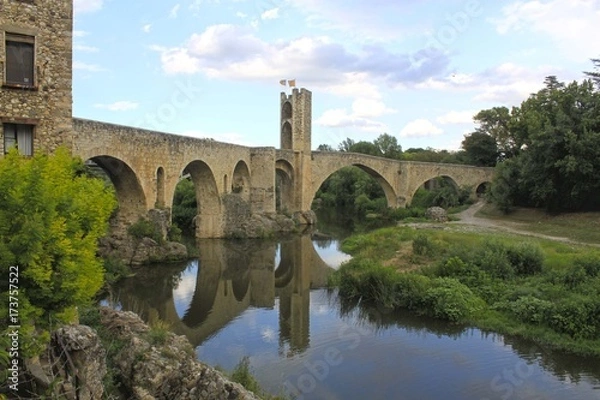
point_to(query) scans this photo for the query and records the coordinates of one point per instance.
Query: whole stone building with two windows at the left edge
(35, 75)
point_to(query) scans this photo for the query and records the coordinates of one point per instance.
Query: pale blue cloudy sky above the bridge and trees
(414, 69)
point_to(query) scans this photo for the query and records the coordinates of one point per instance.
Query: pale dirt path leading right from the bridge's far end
(468, 221)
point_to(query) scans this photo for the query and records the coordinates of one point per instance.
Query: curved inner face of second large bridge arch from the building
(208, 221)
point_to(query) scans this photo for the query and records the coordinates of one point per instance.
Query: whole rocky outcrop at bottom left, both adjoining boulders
(148, 367)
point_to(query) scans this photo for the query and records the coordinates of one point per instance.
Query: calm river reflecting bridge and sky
(266, 300)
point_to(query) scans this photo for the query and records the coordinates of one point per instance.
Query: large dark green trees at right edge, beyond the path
(553, 142)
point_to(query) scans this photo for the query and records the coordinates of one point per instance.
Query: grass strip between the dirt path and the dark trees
(581, 227)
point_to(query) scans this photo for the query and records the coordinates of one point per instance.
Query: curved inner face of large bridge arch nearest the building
(128, 188)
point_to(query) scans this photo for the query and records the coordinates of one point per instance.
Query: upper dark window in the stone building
(19, 59)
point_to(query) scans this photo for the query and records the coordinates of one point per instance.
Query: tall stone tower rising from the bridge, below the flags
(295, 133)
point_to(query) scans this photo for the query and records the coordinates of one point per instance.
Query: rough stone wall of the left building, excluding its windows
(47, 102)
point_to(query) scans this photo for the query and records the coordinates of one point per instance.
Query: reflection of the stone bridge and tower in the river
(226, 279)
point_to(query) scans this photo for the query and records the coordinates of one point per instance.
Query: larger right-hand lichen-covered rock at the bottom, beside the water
(164, 368)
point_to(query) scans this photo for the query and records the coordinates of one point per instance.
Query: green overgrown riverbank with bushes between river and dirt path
(541, 290)
